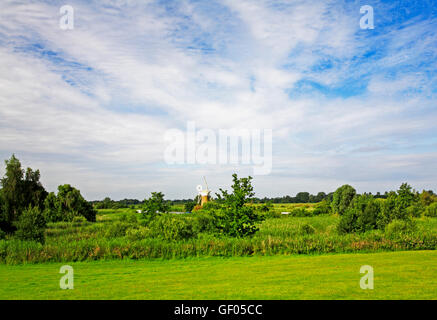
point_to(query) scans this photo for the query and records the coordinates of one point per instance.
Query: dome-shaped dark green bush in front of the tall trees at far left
(31, 225)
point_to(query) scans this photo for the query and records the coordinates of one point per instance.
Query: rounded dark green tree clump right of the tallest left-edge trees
(68, 204)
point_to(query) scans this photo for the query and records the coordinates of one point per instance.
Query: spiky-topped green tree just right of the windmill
(237, 219)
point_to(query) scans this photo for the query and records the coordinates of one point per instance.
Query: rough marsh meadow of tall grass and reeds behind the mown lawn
(117, 234)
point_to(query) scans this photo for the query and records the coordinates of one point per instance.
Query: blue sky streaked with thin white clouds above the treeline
(90, 106)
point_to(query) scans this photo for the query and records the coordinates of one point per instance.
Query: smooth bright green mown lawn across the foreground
(397, 275)
